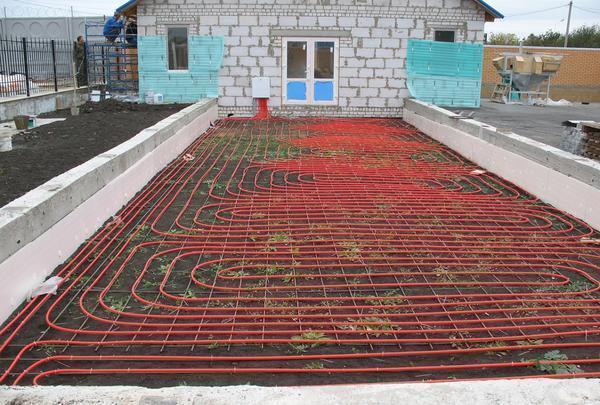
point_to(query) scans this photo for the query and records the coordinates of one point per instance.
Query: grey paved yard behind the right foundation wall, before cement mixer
(543, 124)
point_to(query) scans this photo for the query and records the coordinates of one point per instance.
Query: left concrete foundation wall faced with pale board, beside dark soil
(40, 230)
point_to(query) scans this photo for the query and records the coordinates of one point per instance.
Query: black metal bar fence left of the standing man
(33, 66)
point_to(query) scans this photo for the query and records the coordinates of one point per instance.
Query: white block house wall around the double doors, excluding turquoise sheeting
(371, 61)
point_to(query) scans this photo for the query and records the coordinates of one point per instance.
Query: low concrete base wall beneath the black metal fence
(41, 103)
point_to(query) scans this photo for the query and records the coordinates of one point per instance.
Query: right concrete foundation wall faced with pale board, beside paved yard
(568, 182)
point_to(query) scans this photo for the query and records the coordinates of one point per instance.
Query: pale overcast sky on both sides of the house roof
(586, 12)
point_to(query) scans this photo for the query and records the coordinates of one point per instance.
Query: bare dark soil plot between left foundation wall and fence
(48, 151)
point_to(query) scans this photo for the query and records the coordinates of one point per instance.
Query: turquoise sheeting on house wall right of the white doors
(445, 74)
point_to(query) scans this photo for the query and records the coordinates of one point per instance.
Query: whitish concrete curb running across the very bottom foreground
(504, 392)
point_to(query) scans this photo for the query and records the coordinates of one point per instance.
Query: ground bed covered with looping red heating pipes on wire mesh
(312, 251)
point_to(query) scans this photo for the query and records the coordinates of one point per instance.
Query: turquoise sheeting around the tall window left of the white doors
(200, 81)
